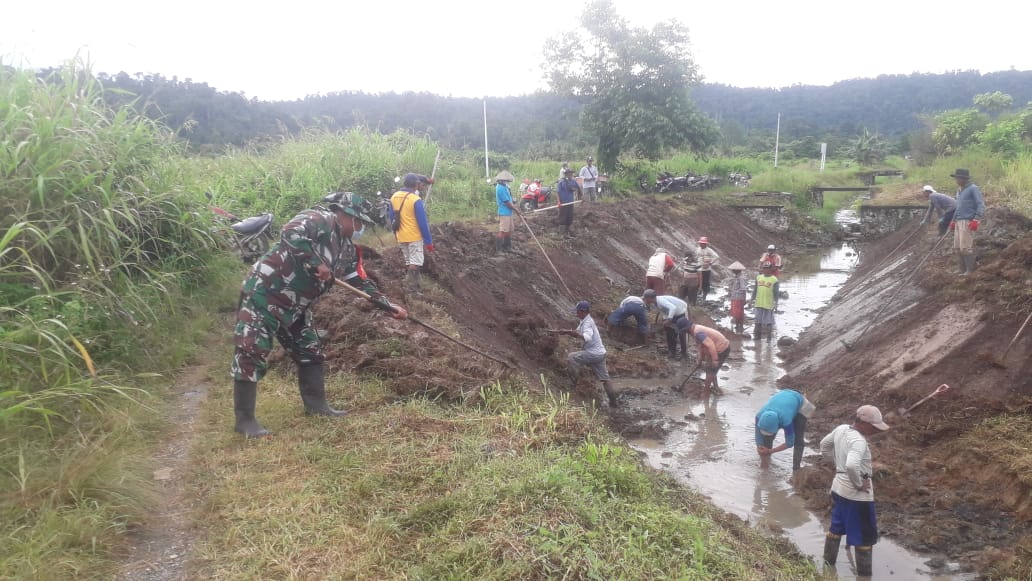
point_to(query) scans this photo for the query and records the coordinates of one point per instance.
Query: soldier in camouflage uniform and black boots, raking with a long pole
(277, 298)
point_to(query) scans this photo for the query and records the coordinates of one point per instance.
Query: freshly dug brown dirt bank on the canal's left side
(503, 305)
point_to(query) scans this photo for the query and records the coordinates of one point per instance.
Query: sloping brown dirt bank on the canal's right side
(936, 491)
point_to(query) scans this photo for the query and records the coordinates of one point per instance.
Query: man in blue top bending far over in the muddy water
(787, 411)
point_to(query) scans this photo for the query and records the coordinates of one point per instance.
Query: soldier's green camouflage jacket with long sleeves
(287, 271)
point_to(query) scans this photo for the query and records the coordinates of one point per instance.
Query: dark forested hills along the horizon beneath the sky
(547, 125)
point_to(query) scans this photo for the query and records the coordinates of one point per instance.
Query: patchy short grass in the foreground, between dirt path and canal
(517, 487)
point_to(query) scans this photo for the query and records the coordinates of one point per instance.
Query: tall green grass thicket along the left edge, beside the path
(98, 255)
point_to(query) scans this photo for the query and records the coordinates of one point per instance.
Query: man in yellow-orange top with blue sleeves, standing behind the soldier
(412, 228)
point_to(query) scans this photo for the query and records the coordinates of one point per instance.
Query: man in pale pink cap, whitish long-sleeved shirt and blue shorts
(853, 491)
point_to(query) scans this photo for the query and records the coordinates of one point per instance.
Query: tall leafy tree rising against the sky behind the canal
(635, 83)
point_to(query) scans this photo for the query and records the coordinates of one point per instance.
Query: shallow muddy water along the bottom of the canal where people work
(715, 451)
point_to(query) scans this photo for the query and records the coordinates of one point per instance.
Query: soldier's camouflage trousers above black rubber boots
(262, 317)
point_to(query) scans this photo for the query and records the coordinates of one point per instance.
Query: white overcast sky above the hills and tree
(289, 50)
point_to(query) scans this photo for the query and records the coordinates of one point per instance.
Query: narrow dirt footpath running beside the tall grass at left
(158, 551)
